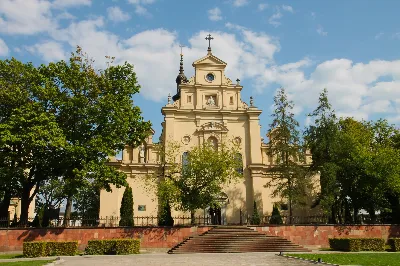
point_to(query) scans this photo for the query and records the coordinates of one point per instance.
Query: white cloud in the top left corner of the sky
(25, 17)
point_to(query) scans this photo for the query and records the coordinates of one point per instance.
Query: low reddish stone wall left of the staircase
(151, 237)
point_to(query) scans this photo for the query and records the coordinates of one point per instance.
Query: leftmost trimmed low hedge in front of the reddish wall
(44, 249)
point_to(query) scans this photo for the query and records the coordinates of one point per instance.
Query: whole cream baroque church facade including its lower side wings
(207, 107)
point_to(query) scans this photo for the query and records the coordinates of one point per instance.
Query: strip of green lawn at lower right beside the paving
(365, 259)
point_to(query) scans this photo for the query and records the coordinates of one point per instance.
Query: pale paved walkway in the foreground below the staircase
(231, 259)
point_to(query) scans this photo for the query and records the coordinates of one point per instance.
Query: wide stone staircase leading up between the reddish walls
(234, 239)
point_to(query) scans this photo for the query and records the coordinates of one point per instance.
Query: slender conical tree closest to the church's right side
(288, 176)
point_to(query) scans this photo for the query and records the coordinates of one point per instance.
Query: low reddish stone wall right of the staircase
(318, 235)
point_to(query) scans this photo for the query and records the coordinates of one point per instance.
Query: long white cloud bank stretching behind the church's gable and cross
(356, 89)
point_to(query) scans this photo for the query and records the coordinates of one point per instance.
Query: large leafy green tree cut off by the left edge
(30, 137)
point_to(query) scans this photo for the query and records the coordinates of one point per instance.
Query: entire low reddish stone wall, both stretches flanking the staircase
(166, 237)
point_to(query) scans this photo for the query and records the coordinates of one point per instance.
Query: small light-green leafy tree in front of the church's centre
(203, 176)
